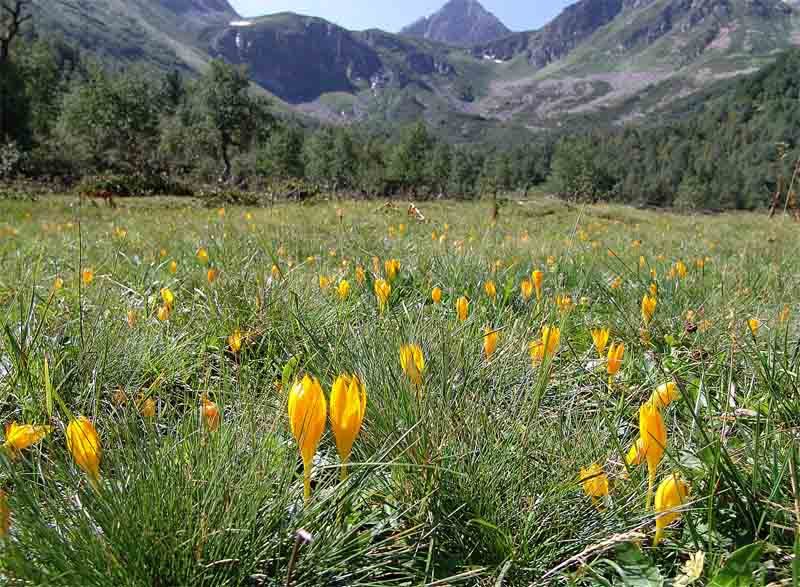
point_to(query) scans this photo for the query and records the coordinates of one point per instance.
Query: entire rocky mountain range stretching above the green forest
(598, 62)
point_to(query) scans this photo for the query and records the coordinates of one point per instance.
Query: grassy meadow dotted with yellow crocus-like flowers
(339, 394)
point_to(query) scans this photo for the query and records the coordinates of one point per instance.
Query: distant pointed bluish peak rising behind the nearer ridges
(461, 23)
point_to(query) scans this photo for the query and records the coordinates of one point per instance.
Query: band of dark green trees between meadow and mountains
(66, 116)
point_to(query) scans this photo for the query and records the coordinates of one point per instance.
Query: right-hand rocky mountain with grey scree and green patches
(626, 59)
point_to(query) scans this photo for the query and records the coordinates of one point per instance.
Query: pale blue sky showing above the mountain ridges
(391, 15)
